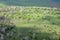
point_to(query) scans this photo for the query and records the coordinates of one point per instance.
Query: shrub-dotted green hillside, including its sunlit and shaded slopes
(32, 23)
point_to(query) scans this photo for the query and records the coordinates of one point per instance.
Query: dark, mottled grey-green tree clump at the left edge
(5, 26)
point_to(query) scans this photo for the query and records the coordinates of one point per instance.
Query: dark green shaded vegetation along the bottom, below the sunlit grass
(34, 35)
